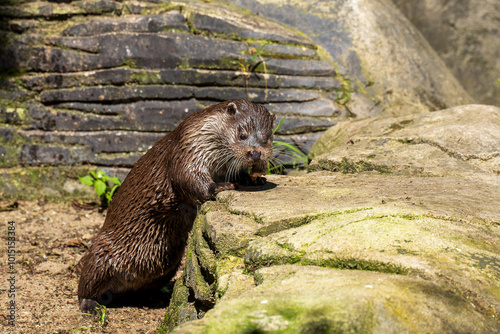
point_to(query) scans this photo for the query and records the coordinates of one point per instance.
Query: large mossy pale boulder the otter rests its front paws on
(411, 253)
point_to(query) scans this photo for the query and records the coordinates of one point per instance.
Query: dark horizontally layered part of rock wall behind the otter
(101, 90)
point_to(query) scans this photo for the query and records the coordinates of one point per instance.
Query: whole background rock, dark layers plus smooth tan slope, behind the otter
(97, 83)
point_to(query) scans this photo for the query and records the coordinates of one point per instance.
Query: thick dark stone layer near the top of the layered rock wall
(139, 50)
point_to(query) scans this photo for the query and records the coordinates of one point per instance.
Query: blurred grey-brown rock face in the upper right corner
(464, 33)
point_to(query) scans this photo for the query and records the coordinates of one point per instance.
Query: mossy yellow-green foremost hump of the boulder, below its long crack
(294, 299)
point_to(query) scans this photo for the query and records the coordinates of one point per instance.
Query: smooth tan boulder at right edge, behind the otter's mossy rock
(457, 141)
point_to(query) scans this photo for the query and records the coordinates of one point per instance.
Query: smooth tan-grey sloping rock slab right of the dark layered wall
(362, 38)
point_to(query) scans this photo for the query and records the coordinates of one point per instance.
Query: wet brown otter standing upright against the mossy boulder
(142, 241)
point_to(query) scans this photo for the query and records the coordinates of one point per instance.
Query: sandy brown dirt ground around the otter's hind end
(50, 240)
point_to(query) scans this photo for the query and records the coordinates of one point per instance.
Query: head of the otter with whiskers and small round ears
(247, 138)
